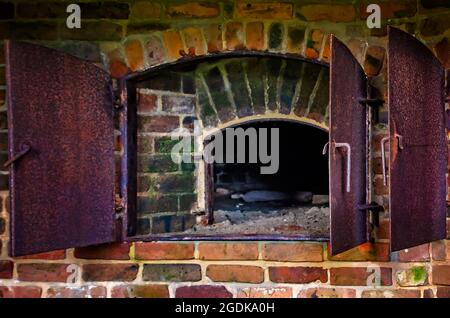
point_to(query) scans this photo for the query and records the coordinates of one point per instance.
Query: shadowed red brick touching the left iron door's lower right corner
(117, 251)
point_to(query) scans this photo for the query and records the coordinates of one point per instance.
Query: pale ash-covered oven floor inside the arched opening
(261, 218)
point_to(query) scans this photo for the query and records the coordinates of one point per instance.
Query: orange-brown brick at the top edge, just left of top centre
(193, 10)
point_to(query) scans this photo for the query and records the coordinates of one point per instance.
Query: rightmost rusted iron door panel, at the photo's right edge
(417, 124)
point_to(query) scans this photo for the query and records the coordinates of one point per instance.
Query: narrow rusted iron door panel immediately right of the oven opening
(348, 127)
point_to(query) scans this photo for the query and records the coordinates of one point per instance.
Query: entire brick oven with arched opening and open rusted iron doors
(97, 196)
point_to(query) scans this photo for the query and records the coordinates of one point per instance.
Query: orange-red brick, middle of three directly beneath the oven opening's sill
(228, 251)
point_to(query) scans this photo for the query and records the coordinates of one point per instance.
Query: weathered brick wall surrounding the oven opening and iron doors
(125, 36)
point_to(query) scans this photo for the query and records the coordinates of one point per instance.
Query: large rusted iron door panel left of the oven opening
(62, 190)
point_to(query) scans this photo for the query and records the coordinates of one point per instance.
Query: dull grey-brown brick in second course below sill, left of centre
(172, 272)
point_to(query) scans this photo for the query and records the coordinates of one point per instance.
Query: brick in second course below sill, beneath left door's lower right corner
(110, 272)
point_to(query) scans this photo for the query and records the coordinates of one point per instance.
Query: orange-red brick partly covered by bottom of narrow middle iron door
(365, 252)
